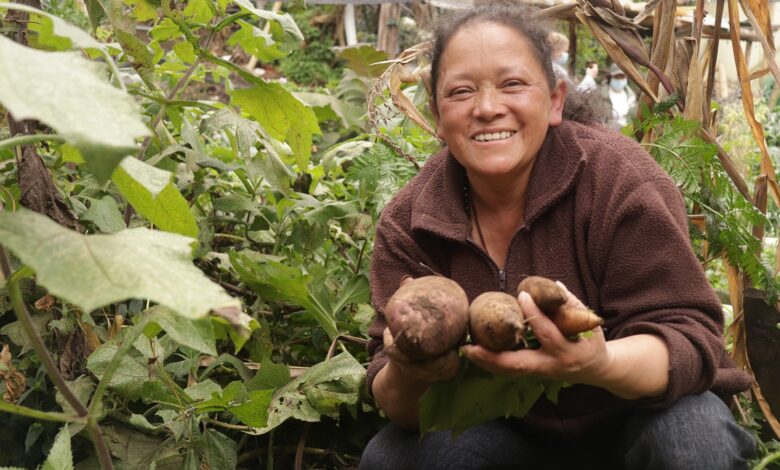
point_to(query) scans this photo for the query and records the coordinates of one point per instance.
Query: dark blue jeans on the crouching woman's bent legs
(698, 432)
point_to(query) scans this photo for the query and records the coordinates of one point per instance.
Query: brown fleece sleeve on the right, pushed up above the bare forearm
(651, 282)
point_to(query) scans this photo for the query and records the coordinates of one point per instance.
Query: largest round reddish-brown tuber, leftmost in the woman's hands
(427, 316)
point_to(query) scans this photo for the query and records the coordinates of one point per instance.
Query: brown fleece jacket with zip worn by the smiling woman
(602, 217)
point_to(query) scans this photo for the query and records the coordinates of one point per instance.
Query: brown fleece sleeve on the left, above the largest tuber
(397, 255)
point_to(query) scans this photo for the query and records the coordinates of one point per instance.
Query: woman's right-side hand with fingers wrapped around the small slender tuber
(583, 360)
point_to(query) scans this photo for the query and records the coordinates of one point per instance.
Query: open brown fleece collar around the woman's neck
(439, 207)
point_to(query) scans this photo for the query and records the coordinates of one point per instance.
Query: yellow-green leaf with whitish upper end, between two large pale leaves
(151, 192)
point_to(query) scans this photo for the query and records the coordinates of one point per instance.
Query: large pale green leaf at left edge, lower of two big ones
(91, 271)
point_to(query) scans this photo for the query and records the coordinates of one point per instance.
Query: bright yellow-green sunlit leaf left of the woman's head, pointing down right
(282, 115)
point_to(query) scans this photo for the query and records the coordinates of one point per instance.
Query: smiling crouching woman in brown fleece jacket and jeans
(528, 185)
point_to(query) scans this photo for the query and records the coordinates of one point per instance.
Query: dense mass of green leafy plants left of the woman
(211, 309)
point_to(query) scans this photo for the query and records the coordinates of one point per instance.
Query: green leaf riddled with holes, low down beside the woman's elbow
(319, 391)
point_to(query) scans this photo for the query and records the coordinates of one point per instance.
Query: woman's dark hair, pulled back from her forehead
(527, 21)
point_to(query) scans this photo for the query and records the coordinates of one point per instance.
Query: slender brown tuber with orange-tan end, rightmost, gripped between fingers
(551, 299)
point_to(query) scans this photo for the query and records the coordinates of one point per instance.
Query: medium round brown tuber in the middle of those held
(496, 321)
